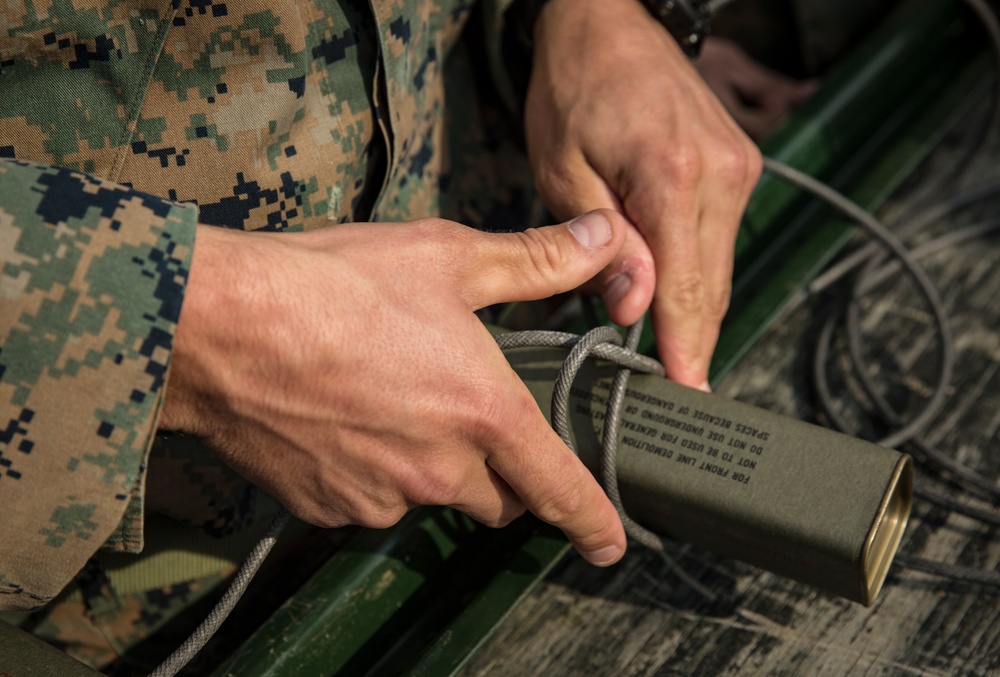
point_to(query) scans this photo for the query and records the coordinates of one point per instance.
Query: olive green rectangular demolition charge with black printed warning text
(802, 501)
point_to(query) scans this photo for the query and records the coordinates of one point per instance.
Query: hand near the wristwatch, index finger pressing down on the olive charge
(616, 117)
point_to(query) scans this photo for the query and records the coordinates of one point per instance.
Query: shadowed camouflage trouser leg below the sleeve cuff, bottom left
(202, 520)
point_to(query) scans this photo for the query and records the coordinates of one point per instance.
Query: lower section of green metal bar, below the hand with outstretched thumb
(382, 600)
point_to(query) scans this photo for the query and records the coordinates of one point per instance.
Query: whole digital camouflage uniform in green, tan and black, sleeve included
(122, 125)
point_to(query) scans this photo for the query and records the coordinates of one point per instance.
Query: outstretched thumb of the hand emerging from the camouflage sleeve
(541, 262)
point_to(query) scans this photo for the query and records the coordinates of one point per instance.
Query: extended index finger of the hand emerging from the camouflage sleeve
(554, 484)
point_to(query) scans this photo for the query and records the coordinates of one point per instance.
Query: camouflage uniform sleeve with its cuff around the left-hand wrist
(92, 276)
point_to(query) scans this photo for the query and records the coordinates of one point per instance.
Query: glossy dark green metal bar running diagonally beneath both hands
(419, 598)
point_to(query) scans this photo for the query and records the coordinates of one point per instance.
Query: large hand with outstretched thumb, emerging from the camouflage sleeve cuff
(344, 371)
